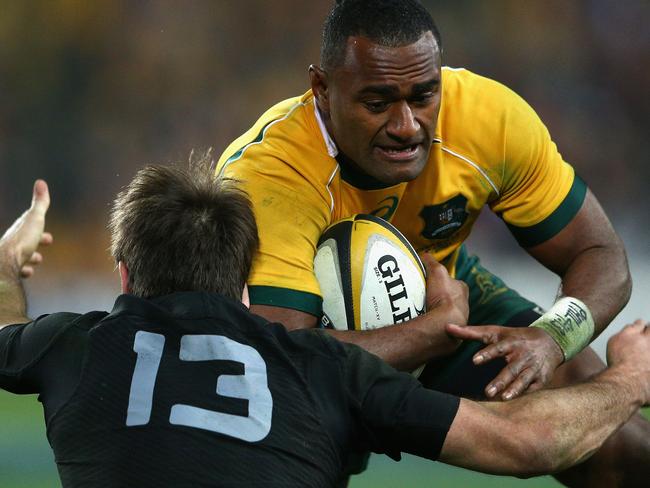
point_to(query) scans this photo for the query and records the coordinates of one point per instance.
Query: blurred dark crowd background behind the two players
(91, 91)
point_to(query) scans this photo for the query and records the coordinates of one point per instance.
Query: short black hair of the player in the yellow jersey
(389, 23)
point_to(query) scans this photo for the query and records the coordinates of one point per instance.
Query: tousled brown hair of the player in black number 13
(180, 229)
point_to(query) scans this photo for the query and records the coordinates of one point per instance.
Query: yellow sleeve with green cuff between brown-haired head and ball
(291, 215)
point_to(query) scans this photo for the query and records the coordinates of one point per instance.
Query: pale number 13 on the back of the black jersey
(251, 386)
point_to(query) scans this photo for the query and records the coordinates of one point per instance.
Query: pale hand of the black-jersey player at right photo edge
(630, 348)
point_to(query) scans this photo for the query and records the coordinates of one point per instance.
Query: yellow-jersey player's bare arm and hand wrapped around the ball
(404, 346)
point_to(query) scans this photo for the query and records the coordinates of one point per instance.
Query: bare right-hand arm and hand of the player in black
(550, 430)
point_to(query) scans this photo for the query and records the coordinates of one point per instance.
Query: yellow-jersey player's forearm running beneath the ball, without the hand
(408, 345)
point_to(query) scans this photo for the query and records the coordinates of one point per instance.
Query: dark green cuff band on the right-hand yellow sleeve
(554, 223)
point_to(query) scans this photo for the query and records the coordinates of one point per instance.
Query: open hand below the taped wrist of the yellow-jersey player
(532, 356)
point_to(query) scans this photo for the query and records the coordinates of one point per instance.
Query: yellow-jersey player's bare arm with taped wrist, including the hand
(591, 261)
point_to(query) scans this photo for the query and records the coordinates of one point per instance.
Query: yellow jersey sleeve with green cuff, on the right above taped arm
(540, 192)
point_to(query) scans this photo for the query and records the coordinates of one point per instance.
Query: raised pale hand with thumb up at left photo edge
(19, 244)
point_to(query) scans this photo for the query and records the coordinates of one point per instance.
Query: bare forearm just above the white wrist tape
(600, 277)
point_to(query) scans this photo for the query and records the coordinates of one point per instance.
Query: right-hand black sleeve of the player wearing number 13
(397, 413)
